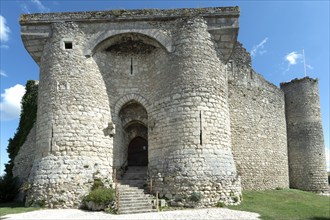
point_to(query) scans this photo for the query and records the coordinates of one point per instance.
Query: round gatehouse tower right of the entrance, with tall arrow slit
(194, 155)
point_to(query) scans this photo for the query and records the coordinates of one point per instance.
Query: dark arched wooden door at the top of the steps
(138, 152)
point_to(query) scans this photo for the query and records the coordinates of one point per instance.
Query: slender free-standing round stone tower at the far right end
(307, 164)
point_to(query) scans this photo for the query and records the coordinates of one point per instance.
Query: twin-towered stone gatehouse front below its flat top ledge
(103, 83)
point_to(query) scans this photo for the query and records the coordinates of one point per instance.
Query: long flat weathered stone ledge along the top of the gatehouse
(139, 14)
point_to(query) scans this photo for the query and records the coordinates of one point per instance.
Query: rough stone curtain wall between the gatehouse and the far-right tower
(258, 127)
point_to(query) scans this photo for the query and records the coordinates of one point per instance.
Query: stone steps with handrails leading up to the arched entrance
(133, 192)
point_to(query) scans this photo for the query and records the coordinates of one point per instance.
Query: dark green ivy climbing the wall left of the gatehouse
(8, 188)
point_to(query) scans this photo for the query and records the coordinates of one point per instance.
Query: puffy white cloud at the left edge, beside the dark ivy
(10, 105)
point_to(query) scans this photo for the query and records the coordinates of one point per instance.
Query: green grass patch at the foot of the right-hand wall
(286, 204)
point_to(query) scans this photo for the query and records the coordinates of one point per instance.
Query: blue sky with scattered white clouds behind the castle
(275, 32)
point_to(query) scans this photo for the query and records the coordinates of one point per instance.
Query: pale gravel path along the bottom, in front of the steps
(191, 214)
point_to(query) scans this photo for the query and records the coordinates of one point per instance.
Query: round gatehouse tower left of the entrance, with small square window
(73, 111)
